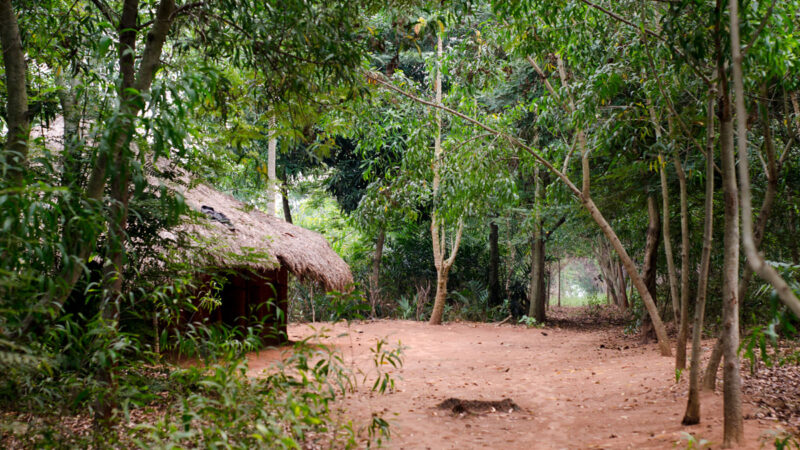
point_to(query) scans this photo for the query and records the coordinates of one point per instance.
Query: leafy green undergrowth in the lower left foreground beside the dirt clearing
(217, 402)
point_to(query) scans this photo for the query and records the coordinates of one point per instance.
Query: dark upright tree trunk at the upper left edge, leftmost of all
(15, 148)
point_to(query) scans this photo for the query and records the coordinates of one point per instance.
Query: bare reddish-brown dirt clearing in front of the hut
(575, 388)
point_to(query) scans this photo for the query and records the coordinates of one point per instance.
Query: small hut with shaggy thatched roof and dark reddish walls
(255, 251)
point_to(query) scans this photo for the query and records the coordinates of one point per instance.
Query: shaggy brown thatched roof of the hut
(268, 240)
